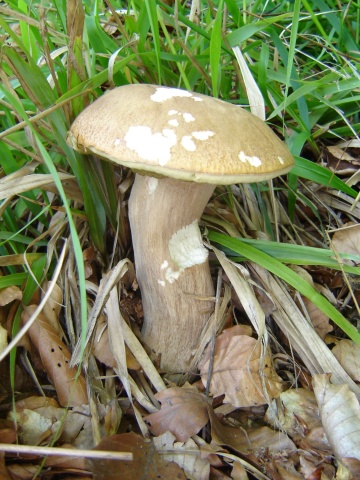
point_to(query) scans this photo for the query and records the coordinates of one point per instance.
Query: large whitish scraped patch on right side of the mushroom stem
(186, 247)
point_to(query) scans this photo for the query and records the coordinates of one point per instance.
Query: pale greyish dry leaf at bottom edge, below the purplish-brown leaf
(186, 454)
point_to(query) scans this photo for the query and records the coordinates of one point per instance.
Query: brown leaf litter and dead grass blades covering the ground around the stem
(273, 411)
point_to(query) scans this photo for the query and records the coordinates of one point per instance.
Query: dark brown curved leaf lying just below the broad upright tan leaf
(249, 441)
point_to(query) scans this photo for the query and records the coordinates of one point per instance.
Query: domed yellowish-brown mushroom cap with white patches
(169, 132)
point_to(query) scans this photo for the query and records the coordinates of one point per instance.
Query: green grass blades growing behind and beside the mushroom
(57, 57)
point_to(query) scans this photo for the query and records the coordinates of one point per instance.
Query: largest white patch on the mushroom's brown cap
(153, 147)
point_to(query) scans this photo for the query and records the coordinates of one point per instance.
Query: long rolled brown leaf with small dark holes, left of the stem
(56, 359)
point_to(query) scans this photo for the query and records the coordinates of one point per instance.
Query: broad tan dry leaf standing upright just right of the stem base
(236, 371)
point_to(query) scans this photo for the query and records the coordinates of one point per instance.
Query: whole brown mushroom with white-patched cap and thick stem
(181, 145)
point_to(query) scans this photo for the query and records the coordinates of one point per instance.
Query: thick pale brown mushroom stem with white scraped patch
(175, 281)
